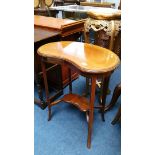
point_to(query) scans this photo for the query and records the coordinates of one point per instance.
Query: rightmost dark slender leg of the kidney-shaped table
(104, 94)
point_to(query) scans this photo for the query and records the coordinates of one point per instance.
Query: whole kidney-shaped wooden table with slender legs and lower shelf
(88, 60)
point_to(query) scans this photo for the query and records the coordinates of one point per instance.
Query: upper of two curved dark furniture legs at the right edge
(116, 94)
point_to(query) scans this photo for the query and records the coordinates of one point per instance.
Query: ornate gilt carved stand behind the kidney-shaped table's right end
(106, 24)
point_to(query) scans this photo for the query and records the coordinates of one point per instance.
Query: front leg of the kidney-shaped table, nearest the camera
(91, 111)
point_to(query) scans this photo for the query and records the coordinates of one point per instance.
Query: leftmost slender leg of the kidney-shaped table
(46, 89)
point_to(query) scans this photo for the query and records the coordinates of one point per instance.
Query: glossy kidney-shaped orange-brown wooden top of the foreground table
(86, 57)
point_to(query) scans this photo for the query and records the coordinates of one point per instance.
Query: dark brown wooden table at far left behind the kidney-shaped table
(42, 36)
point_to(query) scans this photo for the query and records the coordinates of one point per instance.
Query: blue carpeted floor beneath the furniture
(66, 133)
